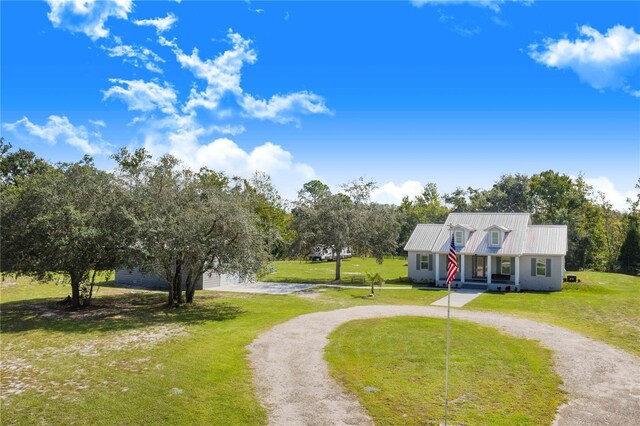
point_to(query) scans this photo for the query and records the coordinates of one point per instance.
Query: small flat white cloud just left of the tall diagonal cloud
(143, 96)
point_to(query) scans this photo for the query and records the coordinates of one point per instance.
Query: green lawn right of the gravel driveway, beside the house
(603, 306)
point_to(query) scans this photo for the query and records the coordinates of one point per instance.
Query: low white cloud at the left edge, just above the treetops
(60, 129)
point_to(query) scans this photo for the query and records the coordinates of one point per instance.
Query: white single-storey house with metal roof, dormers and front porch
(497, 251)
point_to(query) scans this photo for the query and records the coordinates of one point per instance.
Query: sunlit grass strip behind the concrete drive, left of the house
(393, 270)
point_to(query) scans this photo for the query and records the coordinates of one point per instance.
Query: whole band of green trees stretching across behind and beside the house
(157, 215)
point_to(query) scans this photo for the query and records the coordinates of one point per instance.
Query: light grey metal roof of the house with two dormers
(521, 238)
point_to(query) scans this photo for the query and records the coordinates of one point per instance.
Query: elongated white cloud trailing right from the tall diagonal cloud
(282, 108)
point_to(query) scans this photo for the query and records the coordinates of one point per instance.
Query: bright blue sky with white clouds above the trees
(404, 92)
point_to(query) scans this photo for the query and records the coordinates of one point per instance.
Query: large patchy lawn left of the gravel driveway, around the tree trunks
(130, 360)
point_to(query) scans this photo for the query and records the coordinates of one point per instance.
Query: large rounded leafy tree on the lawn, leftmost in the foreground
(67, 219)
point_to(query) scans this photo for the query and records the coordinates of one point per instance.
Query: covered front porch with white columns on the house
(481, 271)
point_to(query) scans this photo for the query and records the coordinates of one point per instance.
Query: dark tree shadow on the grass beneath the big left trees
(110, 313)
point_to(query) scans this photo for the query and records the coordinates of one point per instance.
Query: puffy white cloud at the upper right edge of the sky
(601, 60)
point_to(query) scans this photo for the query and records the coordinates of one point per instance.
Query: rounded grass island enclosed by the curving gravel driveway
(494, 379)
